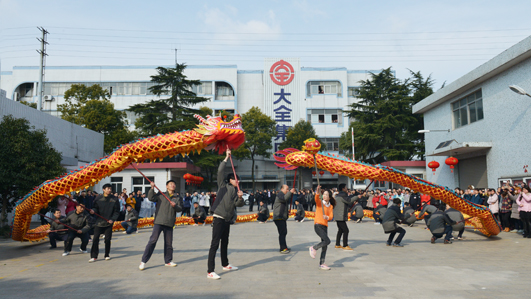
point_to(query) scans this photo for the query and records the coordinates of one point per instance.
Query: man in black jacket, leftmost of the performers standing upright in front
(107, 206)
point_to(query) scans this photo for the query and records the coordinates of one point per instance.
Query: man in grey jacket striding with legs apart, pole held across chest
(164, 221)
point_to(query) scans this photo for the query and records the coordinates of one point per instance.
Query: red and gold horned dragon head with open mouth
(219, 134)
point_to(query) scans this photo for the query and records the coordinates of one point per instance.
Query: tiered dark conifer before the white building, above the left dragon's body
(172, 110)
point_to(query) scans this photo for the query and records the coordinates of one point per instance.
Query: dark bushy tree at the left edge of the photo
(26, 159)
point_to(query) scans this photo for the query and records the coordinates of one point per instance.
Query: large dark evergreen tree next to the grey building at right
(384, 126)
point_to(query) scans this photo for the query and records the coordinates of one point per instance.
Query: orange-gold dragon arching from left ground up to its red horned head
(211, 133)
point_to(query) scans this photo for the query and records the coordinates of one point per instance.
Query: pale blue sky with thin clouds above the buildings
(441, 39)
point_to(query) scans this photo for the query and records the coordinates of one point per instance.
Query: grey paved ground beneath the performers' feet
(474, 268)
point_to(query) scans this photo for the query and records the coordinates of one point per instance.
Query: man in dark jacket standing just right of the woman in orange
(343, 204)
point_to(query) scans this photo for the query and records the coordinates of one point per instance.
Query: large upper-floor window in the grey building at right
(468, 109)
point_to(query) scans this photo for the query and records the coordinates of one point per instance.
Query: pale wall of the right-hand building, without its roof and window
(506, 123)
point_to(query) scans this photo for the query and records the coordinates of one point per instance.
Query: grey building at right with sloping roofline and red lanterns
(480, 121)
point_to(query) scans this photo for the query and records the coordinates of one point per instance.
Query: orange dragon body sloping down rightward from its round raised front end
(483, 219)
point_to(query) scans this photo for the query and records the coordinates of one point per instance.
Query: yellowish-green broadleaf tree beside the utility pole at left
(90, 107)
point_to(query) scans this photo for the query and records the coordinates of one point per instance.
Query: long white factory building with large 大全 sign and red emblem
(283, 89)
